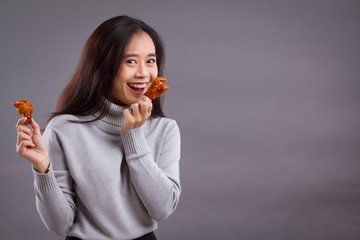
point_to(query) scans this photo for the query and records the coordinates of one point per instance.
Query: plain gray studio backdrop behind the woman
(266, 94)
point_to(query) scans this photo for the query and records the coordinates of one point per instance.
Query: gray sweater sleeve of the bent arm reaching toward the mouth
(156, 182)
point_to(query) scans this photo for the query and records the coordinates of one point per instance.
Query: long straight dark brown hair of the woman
(100, 61)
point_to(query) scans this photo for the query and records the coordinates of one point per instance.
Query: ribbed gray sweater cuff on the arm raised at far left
(45, 182)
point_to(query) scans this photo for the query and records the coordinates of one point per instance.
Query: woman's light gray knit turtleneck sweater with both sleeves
(104, 183)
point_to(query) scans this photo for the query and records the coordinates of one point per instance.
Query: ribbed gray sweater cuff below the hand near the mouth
(135, 144)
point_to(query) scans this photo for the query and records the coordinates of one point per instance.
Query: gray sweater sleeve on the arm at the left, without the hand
(54, 190)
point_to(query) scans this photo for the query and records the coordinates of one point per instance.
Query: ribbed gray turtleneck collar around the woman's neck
(112, 121)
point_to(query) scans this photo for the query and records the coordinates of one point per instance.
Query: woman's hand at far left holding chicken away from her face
(31, 145)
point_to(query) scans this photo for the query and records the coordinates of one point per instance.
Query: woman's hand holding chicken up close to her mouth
(140, 112)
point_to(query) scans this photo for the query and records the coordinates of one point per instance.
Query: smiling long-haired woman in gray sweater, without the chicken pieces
(107, 165)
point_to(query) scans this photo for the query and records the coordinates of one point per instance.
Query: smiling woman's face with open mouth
(136, 70)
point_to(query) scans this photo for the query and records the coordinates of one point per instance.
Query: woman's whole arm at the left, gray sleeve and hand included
(53, 189)
